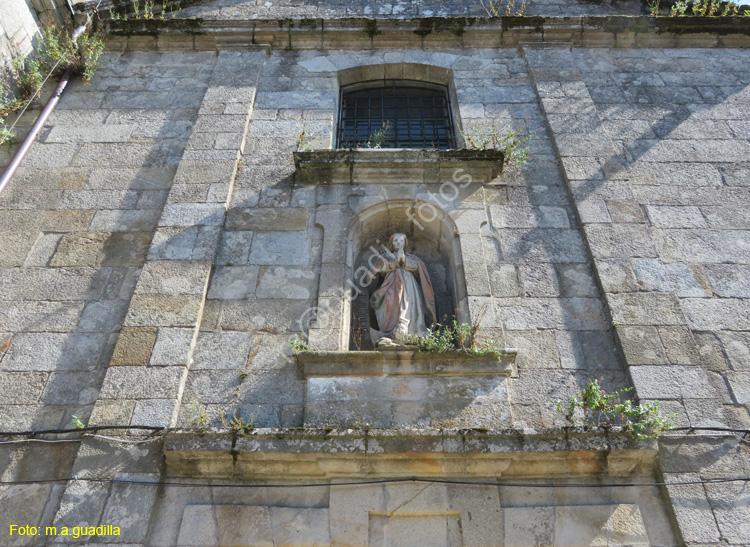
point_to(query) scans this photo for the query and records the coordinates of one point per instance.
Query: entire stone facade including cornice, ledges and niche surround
(162, 243)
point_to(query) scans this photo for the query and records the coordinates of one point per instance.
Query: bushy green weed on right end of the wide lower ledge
(602, 409)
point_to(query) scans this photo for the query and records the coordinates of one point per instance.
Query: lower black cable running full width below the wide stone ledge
(376, 481)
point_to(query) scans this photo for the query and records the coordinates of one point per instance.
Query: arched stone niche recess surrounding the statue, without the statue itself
(432, 236)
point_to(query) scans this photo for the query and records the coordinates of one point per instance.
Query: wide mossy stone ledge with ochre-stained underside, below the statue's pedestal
(324, 454)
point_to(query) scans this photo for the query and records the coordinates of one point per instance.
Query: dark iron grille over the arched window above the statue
(395, 114)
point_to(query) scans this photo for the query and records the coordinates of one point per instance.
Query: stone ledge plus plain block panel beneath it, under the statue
(399, 386)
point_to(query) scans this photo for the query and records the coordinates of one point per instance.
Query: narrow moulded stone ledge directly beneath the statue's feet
(401, 362)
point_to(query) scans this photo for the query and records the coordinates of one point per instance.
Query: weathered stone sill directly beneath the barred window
(398, 166)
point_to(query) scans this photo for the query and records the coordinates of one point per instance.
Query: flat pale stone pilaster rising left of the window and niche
(147, 374)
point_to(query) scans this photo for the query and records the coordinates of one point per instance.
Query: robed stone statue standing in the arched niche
(405, 302)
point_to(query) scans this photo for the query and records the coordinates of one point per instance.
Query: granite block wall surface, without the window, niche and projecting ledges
(159, 249)
